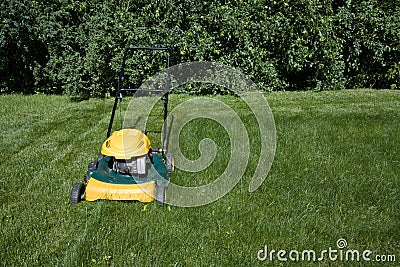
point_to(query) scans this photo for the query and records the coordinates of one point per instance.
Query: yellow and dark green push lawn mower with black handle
(128, 168)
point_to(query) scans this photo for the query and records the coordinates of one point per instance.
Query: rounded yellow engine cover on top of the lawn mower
(125, 144)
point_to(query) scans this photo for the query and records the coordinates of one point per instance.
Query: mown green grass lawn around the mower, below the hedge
(335, 175)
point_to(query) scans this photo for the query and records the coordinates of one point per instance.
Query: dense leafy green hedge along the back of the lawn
(75, 47)
